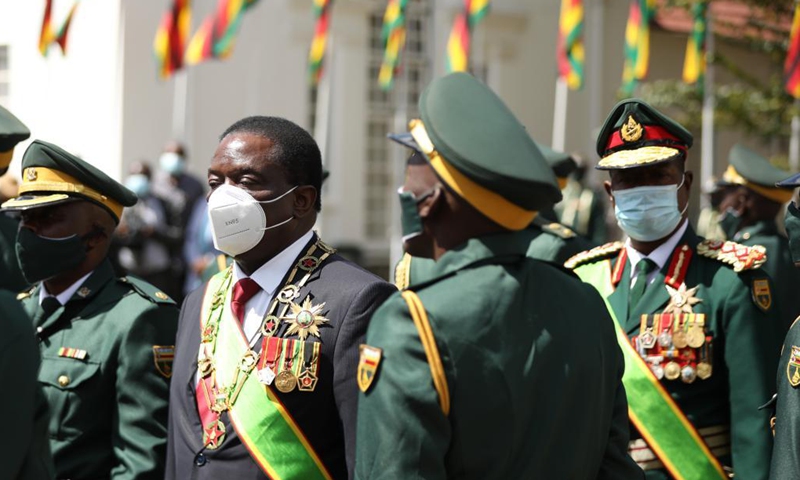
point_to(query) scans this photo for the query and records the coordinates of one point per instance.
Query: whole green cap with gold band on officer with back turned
(479, 149)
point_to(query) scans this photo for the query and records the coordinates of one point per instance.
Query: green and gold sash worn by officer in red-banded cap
(652, 410)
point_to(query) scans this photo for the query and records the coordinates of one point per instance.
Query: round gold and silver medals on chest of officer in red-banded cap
(671, 343)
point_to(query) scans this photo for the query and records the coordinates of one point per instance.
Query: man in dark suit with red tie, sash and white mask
(264, 382)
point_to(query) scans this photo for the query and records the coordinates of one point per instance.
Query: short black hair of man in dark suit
(294, 149)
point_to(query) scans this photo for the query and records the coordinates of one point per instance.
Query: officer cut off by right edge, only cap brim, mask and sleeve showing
(786, 426)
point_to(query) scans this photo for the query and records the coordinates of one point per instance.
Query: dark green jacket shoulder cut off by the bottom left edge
(24, 449)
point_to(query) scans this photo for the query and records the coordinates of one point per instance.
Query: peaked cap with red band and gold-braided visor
(637, 135)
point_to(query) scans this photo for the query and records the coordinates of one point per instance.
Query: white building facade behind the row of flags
(103, 100)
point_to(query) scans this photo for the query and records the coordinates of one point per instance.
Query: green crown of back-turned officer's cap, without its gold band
(471, 127)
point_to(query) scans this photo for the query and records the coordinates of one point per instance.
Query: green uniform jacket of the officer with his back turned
(532, 368)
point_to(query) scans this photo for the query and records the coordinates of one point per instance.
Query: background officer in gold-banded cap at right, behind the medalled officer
(752, 202)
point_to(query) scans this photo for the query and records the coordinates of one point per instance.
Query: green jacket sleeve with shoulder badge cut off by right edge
(786, 452)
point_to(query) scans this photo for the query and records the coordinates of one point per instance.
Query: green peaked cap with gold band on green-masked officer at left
(51, 175)
